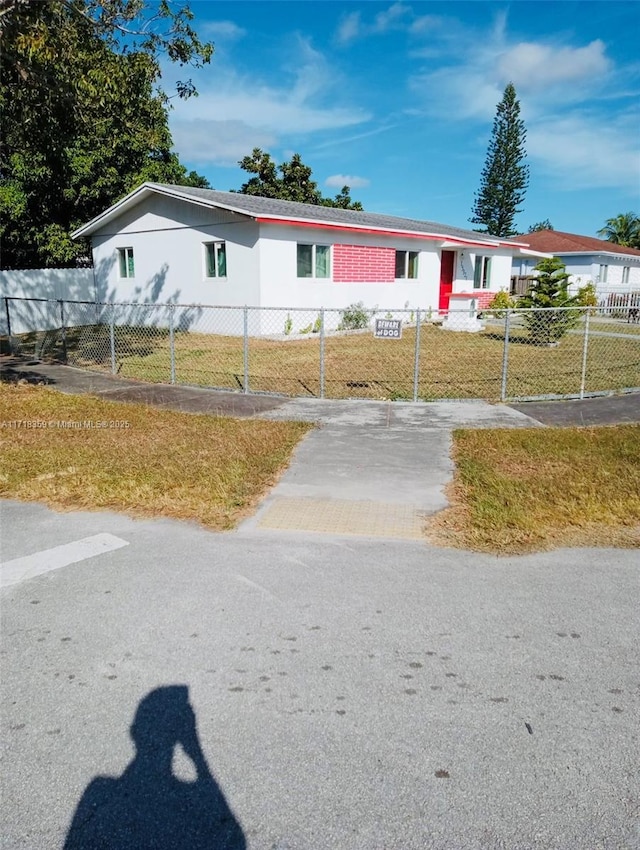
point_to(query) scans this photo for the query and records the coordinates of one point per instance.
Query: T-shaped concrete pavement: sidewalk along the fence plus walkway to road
(373, 469)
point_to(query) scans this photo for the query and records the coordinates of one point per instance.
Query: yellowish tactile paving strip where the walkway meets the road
(339, 516)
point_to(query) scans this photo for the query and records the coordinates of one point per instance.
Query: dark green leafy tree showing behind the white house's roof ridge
(290, 181)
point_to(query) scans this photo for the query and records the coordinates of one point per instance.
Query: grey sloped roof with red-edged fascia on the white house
(290, 212)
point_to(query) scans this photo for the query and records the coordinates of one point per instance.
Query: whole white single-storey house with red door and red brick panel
(165, 243)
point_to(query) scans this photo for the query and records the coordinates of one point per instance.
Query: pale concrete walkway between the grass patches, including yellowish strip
(375, 469)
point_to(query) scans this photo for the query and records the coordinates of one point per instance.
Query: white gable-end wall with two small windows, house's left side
(167, 237)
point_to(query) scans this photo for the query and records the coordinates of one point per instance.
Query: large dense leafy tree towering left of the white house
(84, 118)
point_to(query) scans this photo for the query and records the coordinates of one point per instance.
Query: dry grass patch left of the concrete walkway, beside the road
(184, 466)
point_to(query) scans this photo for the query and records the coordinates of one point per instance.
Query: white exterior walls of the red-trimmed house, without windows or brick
(167, 236)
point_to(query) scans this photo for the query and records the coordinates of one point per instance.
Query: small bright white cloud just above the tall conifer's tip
(535, 66)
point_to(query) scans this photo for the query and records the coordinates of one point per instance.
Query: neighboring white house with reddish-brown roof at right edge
(608, 266)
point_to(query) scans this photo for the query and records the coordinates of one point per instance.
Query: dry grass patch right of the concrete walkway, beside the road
(532, 489)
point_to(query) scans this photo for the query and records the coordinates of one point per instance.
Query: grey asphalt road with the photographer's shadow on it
(346, 692)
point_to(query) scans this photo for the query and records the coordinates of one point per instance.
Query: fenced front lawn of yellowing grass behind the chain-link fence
(452, 365)
